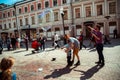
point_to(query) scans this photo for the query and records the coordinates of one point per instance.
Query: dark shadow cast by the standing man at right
(89, 73)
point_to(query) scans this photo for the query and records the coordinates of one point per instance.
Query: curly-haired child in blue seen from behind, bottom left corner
(6, 72)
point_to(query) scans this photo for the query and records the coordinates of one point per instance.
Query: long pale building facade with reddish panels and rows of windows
(33, 17)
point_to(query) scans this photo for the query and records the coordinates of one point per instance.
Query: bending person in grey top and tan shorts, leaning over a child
(73, 44)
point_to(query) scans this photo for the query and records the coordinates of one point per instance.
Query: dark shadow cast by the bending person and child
(59, 72)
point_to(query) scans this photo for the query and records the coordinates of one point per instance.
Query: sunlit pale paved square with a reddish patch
(27, 64)
